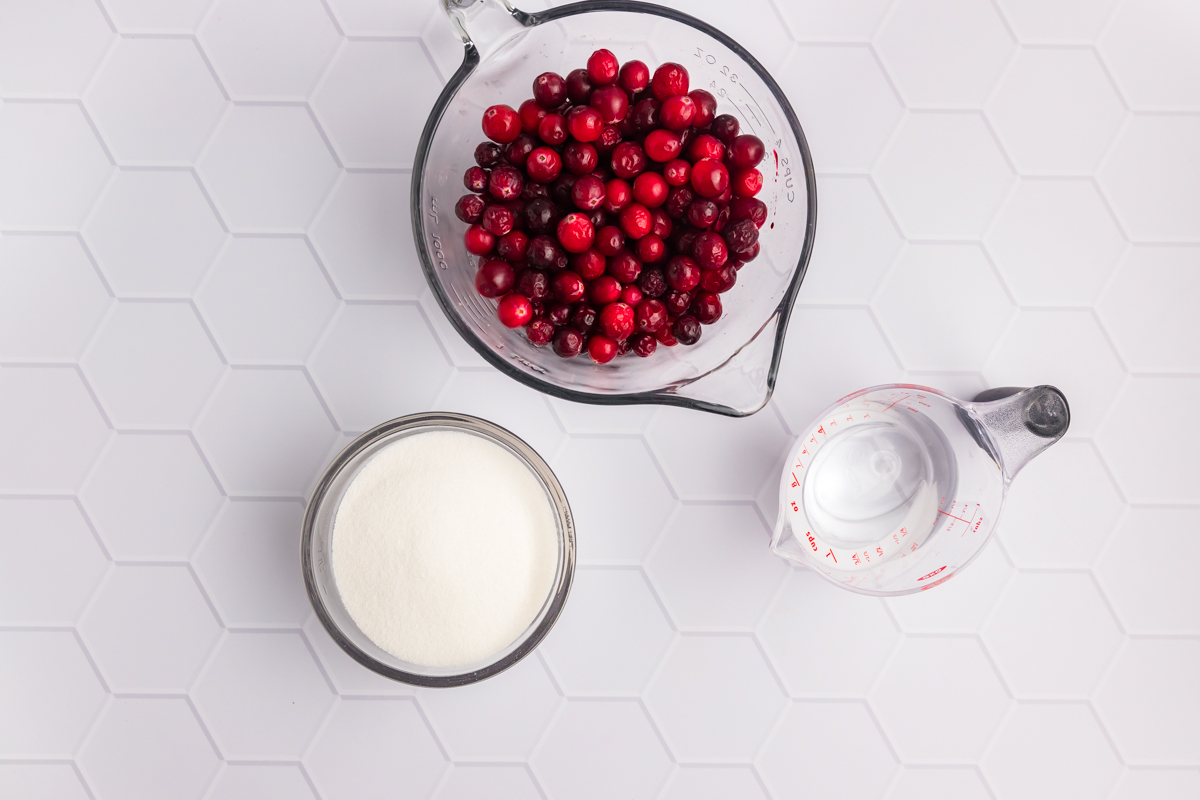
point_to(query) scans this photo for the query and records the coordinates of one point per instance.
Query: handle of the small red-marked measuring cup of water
(1016, 425)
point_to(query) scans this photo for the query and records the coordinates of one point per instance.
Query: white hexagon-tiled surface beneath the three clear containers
(209, 286)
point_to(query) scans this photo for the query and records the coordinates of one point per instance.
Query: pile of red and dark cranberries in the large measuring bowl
(613, 209)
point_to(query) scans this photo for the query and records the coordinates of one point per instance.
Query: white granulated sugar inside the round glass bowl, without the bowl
(445, 549)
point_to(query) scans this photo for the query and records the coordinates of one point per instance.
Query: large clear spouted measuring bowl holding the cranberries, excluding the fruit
(733, 369)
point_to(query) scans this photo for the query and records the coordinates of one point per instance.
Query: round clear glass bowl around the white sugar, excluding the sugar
(317, 564)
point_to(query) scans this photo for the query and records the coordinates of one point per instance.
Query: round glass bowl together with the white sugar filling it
(439, 550)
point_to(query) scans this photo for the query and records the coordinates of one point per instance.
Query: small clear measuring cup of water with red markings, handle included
(897, 489)
